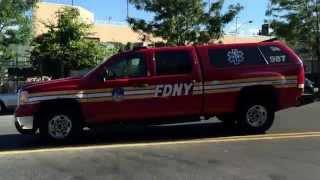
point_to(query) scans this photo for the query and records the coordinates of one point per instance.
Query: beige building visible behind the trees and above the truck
(110, 32)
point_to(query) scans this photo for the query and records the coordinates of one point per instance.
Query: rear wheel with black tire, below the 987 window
(256, 116)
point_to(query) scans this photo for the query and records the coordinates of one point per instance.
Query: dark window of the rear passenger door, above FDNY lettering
(173, 62)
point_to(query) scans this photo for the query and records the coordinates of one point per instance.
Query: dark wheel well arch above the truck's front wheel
(56, 105)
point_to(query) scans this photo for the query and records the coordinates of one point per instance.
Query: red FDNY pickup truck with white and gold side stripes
(244, 84)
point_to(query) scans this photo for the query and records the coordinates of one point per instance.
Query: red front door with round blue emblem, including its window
(123, 93)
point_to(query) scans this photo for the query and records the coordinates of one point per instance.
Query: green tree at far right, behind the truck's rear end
(297, 22)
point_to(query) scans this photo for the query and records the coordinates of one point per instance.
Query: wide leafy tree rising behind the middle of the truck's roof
(182, 22)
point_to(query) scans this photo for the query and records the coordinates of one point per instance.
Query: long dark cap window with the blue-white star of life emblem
(235, 57)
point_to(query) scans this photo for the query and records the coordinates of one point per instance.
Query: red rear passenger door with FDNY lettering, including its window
(177, 79)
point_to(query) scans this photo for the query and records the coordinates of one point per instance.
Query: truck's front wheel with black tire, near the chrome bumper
(60, 126)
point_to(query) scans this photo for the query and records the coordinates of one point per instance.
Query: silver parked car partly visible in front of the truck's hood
(8, 101)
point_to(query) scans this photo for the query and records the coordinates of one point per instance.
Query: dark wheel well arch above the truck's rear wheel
(265, 93)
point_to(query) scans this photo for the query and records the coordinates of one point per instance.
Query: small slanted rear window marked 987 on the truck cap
(274, 55)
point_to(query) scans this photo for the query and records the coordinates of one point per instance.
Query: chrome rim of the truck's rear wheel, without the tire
(257, 116)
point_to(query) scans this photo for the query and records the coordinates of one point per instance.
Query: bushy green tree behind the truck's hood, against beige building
(66, 46)
